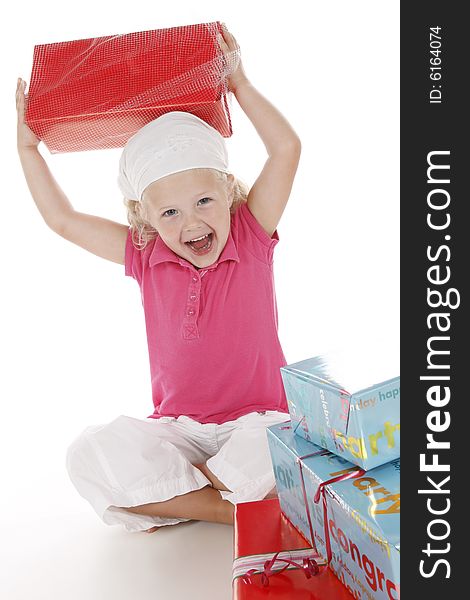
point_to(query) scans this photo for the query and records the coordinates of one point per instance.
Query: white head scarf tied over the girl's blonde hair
(175, 142)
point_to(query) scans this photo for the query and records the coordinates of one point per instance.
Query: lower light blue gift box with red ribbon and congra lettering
(363, 513)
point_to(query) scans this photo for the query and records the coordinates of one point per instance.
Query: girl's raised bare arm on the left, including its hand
(97, 235)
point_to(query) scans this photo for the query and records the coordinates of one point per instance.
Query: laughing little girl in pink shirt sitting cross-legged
(201, 249)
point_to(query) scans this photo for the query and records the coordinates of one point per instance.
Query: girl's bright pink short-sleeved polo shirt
(212, 334)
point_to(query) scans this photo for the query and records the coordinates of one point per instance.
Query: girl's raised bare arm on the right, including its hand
(270, 192)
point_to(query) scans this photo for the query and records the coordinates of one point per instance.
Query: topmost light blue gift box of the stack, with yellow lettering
(362, 426)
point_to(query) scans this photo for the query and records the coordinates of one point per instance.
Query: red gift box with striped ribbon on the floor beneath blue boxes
(260, 530)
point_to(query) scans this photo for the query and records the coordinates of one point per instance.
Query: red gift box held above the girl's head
(96, 93)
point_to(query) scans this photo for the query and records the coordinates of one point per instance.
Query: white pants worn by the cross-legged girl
(130, 462)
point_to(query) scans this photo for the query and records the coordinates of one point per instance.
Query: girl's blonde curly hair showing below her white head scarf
(143, 232)
